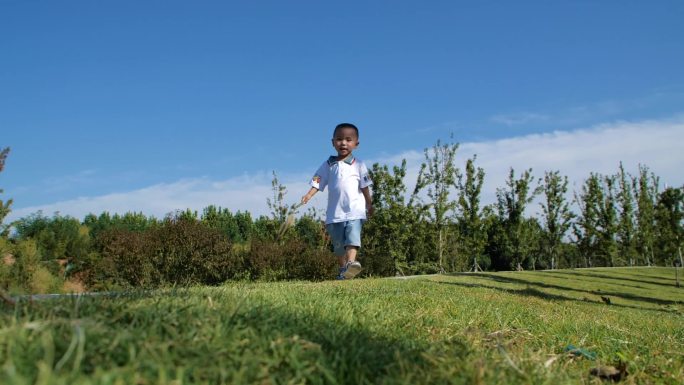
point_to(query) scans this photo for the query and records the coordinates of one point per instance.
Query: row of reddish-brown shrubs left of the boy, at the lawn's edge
(183, 252)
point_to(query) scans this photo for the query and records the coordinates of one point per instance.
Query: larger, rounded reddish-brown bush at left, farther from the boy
(179, 252)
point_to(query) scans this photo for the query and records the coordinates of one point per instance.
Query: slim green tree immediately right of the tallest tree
(471, 224)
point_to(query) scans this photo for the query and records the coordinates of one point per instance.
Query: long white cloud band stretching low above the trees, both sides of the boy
(656, 144)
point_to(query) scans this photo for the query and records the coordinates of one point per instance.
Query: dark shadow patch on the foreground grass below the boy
(352, 352)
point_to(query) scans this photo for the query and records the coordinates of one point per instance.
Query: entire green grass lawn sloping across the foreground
(489, 328)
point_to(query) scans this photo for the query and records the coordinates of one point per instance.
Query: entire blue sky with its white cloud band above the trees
(161, 105)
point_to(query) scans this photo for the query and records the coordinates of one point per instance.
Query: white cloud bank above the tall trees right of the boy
(656, 144)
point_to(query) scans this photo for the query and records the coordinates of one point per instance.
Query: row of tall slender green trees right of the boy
(613, 220)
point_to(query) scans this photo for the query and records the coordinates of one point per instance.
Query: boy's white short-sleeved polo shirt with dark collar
(344, 180)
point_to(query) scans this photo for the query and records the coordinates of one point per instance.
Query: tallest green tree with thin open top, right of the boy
(438, 174)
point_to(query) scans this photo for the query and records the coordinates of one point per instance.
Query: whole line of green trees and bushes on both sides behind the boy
(440, 225)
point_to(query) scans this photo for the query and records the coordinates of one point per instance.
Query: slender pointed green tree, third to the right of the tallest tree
(556, 214)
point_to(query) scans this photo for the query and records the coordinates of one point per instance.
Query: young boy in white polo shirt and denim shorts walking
(349, 198)
